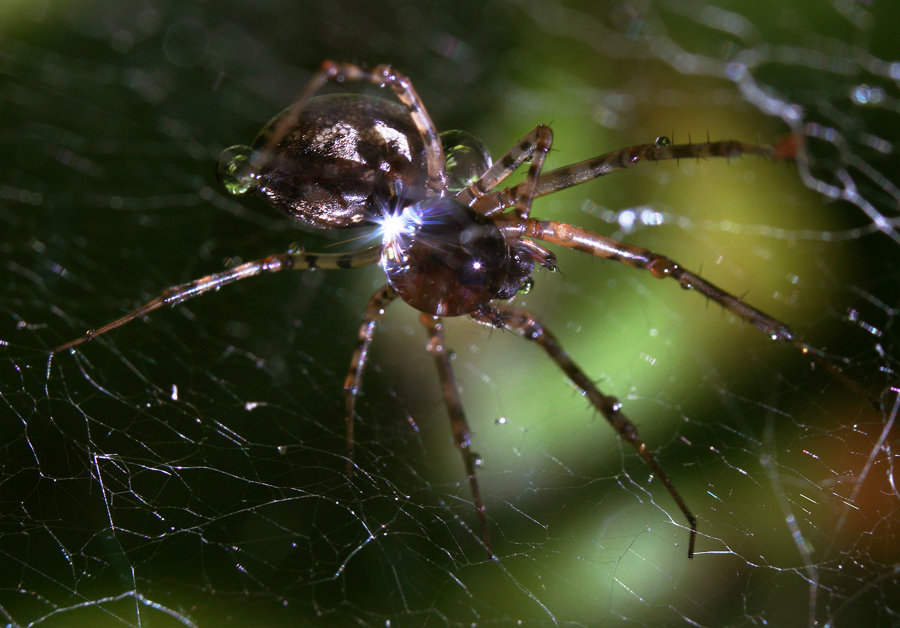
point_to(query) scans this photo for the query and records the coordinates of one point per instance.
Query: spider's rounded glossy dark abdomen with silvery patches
(335, 162)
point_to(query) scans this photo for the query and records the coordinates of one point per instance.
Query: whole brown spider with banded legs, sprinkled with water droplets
(453, 242)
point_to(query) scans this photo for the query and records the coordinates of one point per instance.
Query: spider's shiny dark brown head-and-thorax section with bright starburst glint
(445, 259)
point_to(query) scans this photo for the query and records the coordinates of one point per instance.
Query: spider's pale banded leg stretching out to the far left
(292, 260)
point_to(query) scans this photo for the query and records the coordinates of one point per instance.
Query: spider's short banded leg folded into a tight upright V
(535, 145)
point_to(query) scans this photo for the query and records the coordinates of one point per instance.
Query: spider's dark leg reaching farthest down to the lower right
(526, 325)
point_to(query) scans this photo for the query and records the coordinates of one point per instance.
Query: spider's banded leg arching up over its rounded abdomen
(402, 87)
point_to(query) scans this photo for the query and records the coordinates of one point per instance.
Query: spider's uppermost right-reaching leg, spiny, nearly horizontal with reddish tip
(581, 172)
